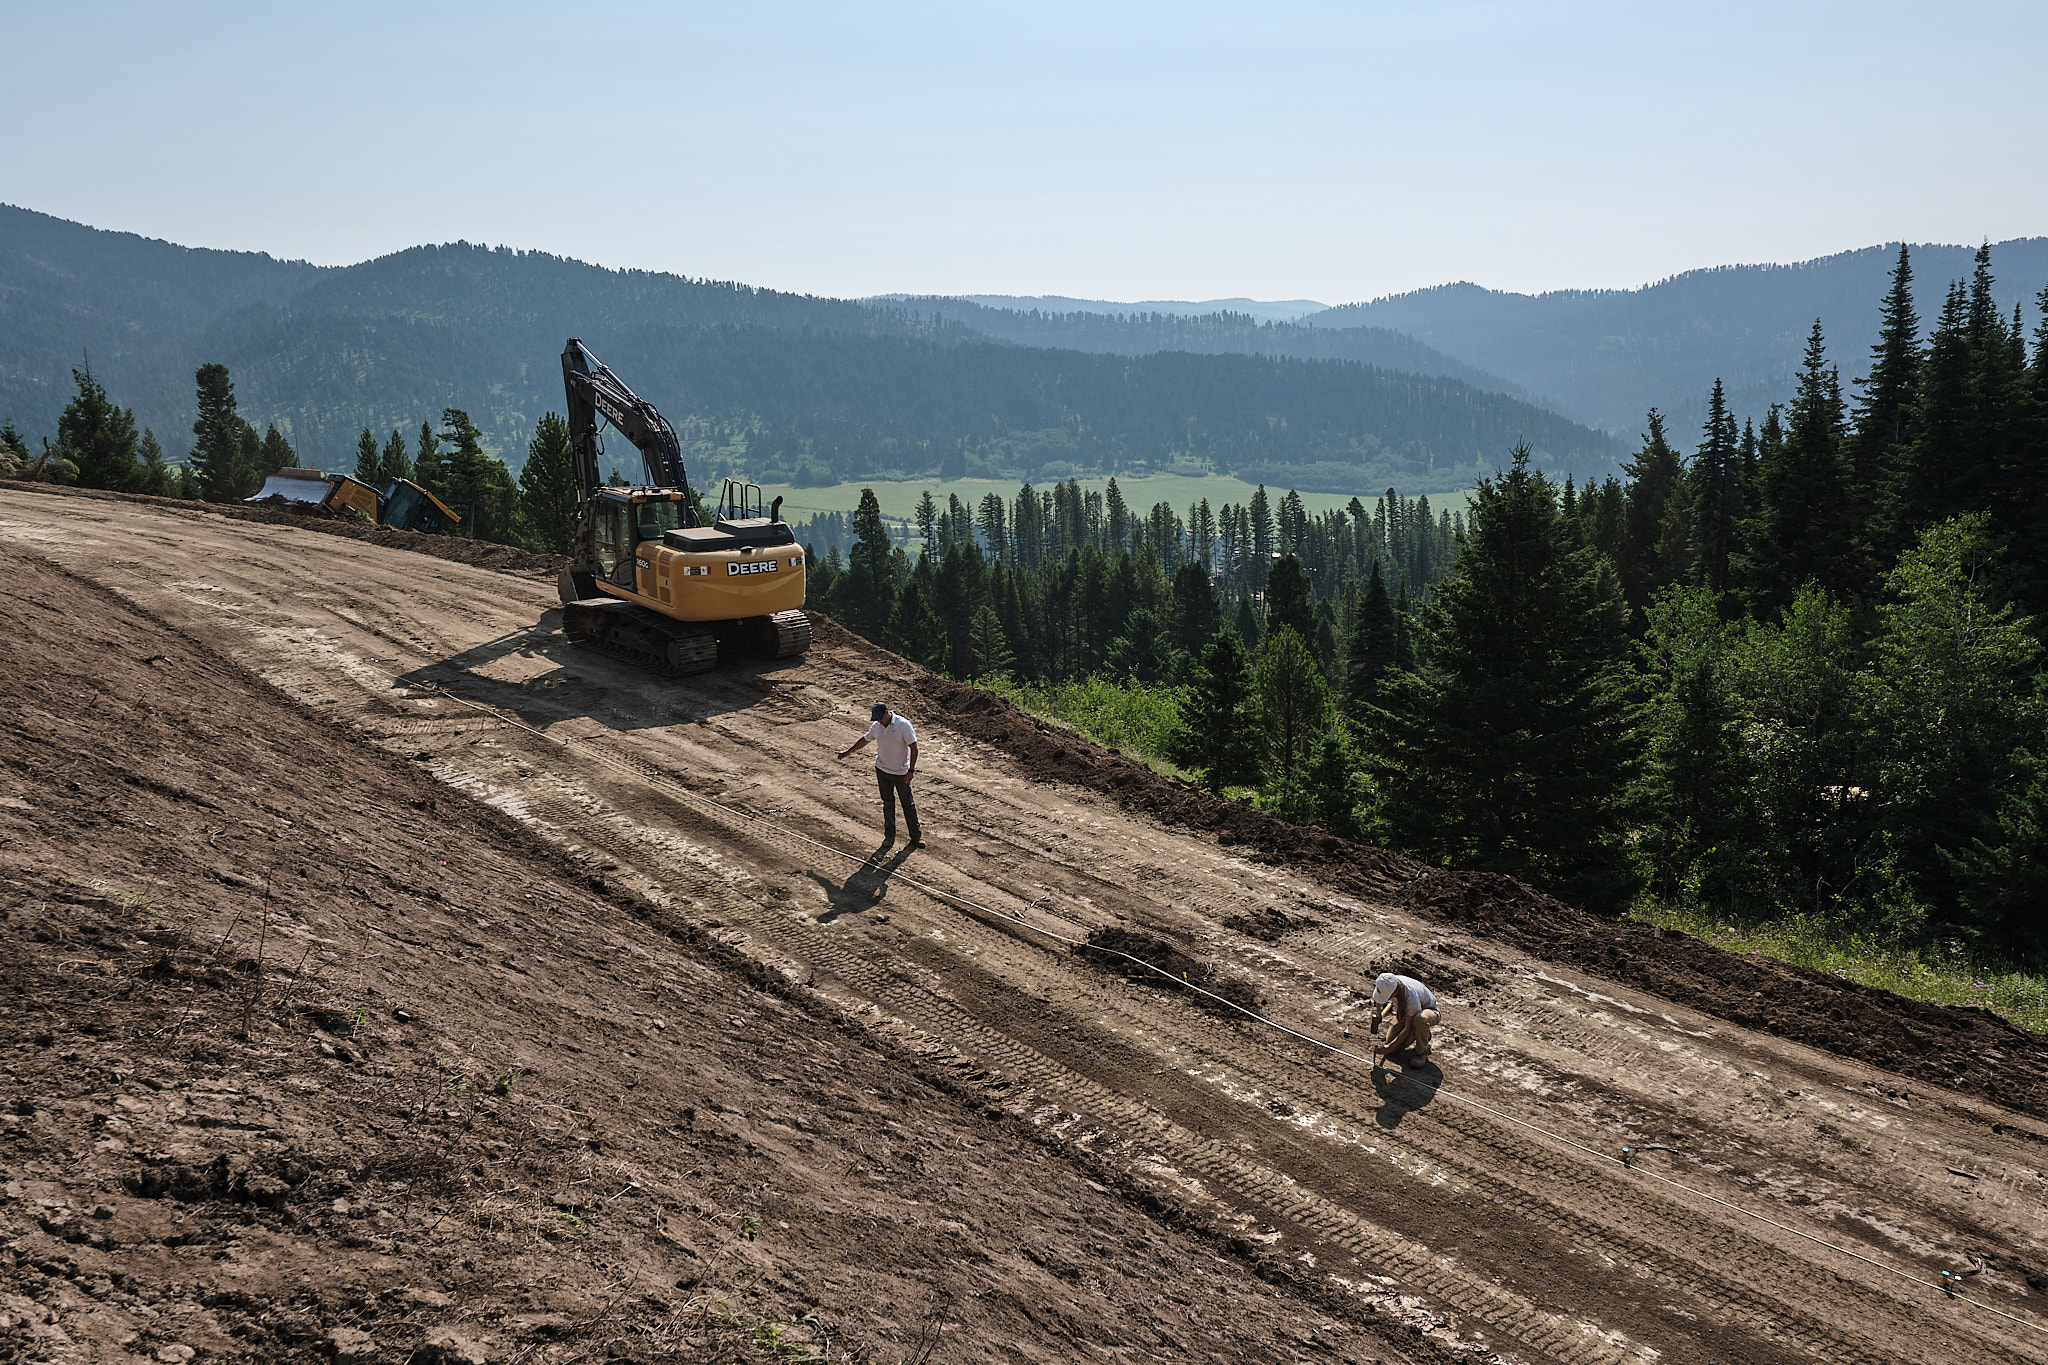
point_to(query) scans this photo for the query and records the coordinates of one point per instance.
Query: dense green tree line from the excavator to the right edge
(1797, 670)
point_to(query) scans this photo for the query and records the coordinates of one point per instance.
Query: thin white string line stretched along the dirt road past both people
(1017, 918)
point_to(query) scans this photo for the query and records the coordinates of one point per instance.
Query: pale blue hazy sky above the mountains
(1103, 150)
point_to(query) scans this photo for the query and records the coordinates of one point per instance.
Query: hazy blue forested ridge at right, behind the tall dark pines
(1605, 357)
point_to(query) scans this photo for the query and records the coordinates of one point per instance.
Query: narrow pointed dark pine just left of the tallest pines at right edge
(1803, 531)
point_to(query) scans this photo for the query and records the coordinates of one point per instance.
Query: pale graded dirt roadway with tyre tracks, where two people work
(718, 801)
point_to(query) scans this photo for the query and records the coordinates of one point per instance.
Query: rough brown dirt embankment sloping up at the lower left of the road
(308, 1059)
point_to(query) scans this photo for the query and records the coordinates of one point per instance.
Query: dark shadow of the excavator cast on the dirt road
(613, 693)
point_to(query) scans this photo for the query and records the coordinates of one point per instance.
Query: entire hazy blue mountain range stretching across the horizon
(1418, 390)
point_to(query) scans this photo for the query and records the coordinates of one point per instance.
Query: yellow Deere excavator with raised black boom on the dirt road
(646, 578)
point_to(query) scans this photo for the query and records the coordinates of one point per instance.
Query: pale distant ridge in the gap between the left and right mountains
(1209, 335)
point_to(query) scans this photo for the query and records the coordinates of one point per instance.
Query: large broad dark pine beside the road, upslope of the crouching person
(1512, 750)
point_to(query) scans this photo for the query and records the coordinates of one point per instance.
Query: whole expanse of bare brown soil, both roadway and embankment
(394, 981)
